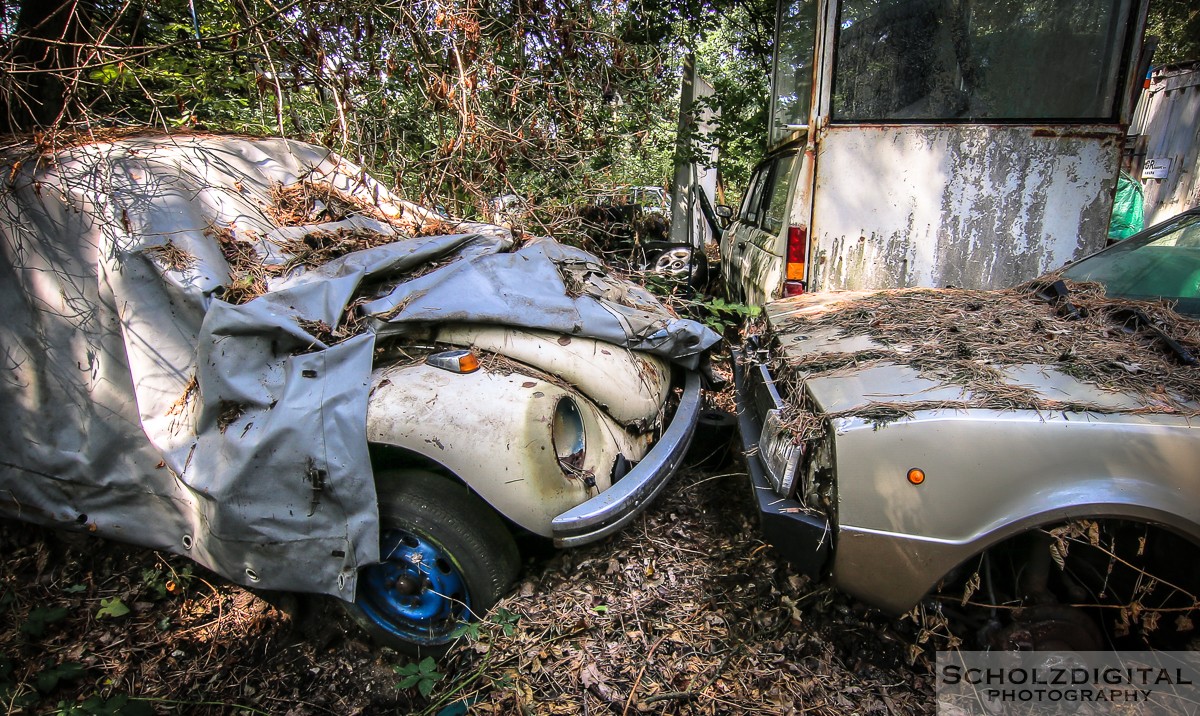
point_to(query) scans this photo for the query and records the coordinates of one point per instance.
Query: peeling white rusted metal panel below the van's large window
(974, 207)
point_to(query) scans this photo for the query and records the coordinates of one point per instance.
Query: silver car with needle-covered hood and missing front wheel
(1034, 452)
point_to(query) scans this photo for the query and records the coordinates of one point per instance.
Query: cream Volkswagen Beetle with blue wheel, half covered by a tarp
(250, 353)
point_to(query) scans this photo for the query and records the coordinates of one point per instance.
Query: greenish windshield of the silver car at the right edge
(1160, 263)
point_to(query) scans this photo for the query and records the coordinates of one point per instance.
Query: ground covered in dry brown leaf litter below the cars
(686, 612)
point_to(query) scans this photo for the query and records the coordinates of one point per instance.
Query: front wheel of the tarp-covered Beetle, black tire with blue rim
(447, 559)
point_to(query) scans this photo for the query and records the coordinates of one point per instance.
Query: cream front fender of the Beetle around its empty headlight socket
(494, 431)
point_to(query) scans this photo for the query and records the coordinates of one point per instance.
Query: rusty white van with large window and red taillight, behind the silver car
(920, 143)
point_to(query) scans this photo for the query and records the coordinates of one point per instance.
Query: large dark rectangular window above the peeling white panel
(969, 61)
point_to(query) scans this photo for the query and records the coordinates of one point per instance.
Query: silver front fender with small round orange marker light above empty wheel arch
(897, 540)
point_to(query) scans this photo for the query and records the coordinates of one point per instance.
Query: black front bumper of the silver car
(803, 539)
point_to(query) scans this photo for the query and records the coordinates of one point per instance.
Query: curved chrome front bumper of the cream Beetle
(619, 506)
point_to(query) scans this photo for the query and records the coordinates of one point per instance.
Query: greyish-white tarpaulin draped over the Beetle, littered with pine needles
(142, 406)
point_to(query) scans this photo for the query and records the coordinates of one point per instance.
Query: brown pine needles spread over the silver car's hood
(970, 338)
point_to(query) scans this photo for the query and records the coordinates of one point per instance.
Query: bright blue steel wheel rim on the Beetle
(418, 592)
